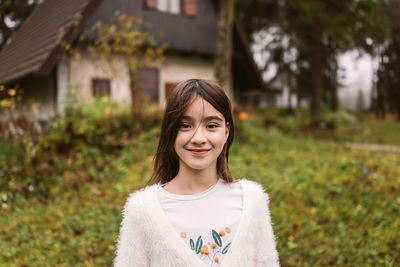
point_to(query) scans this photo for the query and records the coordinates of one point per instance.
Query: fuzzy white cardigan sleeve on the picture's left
(131, 245)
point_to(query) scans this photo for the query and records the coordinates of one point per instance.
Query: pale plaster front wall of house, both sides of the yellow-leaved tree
(173, 69)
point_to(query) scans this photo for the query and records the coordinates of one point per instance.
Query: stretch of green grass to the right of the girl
(330, 205)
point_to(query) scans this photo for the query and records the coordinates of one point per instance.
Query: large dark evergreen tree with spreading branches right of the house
(318, 31)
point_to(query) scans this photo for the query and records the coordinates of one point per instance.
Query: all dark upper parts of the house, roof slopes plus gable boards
(35, 47)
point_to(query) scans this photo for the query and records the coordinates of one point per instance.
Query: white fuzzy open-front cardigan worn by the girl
(147, 238)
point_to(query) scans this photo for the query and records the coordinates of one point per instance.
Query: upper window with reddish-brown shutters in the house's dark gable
(184, 7)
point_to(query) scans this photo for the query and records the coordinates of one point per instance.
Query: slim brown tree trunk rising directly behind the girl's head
(224, 46)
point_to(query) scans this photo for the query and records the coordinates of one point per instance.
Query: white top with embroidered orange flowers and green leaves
(206, 221)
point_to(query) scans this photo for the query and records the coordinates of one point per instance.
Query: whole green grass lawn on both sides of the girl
(330, 205)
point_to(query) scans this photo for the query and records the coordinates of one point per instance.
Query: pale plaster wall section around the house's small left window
(86, 66)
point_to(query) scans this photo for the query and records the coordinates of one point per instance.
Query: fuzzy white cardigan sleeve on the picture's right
(267, 254)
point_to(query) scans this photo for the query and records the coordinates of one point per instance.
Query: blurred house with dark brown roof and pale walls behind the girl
(35, 61)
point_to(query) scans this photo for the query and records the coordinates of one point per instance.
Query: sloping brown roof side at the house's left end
(35, 45)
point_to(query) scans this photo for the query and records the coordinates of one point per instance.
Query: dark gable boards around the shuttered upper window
(194, 34)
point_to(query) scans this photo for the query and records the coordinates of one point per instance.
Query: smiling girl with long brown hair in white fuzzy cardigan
(196, 214)
